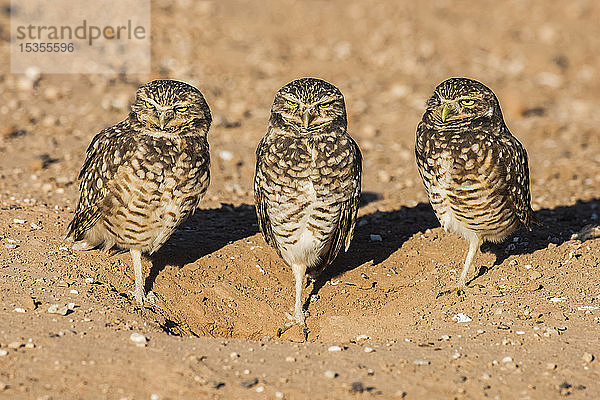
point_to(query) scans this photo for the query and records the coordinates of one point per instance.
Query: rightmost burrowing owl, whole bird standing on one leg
(475, 172)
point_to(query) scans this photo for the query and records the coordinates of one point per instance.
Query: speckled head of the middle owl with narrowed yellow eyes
(309, 106)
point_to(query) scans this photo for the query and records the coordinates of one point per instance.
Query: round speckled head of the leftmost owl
(172, 107)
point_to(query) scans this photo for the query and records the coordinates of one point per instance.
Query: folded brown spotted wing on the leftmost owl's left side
(103, 157)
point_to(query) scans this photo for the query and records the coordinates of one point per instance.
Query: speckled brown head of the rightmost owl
(459, 101)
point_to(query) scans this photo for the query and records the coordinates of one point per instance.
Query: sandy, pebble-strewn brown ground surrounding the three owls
(221, 292)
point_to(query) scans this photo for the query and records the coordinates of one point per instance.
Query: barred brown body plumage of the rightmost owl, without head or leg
(482, 175)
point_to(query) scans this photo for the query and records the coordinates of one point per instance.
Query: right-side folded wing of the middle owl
(349, 209)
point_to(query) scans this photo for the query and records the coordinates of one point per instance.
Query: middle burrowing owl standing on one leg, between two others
(307, 181)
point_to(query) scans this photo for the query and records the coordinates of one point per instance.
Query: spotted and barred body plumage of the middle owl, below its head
(319, 175)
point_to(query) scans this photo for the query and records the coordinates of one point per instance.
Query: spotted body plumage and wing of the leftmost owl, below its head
(128, 174)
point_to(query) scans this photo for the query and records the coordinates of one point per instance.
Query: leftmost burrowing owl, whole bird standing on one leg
(145, 175)
